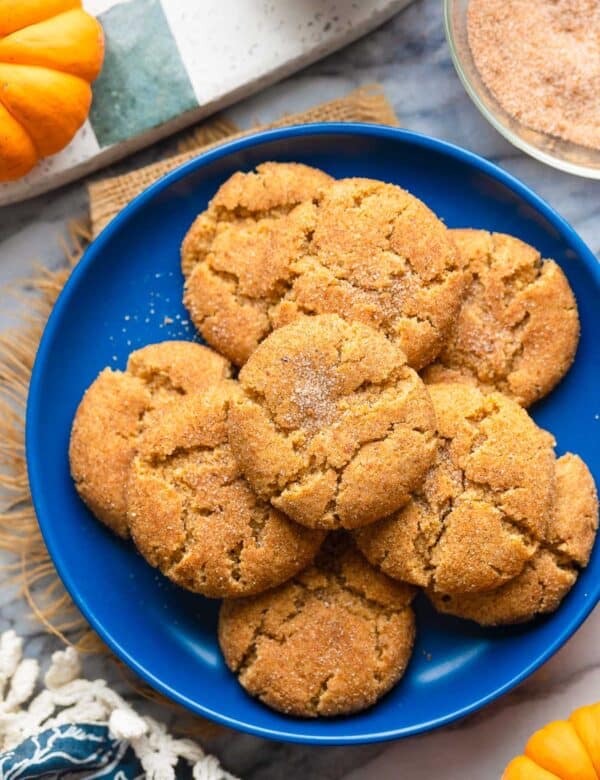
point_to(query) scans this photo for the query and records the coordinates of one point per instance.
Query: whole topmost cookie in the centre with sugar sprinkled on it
(334, 428)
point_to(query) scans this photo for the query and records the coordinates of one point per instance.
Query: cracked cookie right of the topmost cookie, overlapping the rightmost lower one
(480, 515)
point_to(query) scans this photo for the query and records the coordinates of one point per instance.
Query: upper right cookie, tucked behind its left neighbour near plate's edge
(518, 328)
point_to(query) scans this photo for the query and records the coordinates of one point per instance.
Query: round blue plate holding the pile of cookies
(117, 299)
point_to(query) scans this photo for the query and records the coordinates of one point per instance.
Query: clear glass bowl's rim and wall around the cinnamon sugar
(564, 155)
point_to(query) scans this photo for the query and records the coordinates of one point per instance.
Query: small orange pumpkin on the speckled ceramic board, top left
(50, 51)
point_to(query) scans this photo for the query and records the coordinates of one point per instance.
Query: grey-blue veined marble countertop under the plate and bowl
(409, 56)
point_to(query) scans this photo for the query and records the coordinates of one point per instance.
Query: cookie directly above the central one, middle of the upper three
(379, 256)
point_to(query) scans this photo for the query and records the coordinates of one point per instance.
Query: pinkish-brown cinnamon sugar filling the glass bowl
(541, 61)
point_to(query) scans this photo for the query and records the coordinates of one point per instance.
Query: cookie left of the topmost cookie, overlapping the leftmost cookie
(192, 514)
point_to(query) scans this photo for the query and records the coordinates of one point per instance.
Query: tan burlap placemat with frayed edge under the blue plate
(32, 569)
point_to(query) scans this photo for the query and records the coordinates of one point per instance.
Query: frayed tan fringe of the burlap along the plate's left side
(31, 570)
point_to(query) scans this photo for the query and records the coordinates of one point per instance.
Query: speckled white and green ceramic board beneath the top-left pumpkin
(169, 63)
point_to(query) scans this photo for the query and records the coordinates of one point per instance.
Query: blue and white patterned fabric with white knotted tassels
(65, 726)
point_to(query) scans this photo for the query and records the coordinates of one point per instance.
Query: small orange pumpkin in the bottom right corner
(562, 750)
